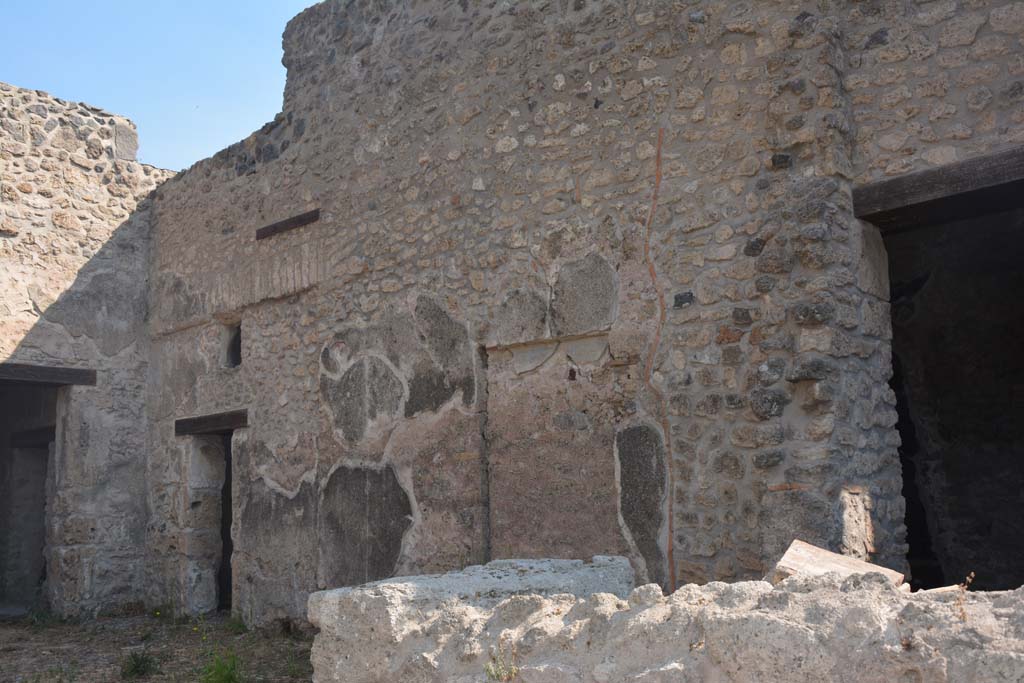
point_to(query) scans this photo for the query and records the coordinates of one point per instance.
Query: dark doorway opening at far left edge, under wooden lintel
(27, 433)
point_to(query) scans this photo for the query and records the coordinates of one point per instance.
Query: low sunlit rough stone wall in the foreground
(826, 629)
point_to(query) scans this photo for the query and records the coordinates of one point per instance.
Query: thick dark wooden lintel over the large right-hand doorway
(987, 185)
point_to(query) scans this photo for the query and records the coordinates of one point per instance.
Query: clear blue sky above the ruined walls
(195, 76)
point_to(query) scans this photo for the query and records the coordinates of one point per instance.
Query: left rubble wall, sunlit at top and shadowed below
(73, 269)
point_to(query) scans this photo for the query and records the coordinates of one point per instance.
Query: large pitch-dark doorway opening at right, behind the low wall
(958, 309)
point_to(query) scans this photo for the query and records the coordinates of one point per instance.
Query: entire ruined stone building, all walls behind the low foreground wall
(537, 279)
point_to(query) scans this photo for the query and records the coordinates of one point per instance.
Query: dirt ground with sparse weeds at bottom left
(44, 651)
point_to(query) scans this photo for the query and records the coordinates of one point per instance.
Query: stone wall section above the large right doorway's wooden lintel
(934, 82)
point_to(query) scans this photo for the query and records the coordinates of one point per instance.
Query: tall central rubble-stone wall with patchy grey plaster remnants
(586, 280)
